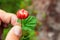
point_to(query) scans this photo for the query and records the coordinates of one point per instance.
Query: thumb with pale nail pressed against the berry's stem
(14, 34)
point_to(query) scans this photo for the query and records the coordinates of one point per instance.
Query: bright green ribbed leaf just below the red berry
(29, 23)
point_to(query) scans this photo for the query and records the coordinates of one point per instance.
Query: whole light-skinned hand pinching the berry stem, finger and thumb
(6, 18)
